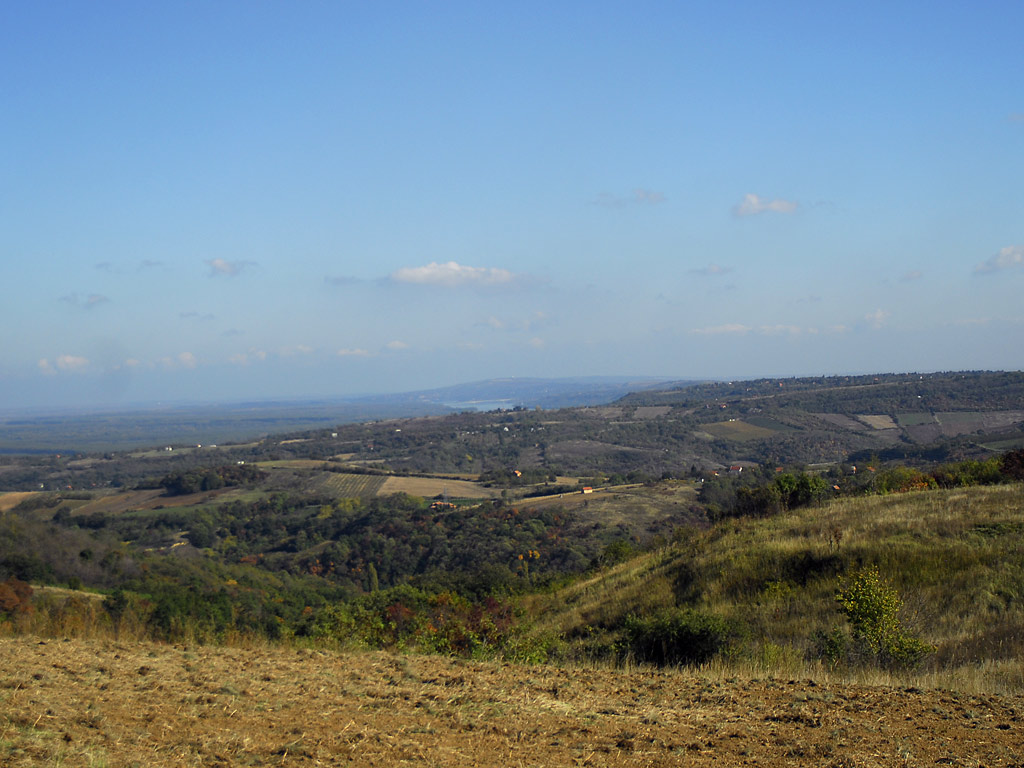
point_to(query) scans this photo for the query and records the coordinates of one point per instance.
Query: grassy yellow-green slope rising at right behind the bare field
(770, 586)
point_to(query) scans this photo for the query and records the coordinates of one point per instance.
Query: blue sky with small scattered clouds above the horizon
(241, 201)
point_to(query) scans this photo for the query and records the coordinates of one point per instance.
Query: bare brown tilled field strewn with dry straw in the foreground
(82, 704)
